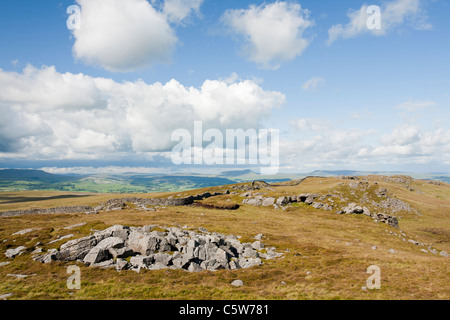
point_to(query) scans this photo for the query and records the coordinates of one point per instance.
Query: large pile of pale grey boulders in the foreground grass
(146, 248)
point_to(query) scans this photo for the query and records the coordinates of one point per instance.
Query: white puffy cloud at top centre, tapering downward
(273, 32)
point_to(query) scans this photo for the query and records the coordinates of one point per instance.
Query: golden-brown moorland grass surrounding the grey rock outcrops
(336, 249)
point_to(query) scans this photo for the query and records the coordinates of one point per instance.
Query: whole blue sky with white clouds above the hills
(366, 100)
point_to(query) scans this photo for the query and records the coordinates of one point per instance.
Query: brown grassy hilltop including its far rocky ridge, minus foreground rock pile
(328, 229)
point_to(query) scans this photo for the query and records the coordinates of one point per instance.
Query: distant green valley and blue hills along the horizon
(24, 180)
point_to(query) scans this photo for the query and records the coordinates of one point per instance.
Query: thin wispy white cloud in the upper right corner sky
(393, 14)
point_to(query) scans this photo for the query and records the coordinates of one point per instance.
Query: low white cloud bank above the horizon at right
(319, 144)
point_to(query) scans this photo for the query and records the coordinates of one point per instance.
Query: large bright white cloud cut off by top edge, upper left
(122, 35)
